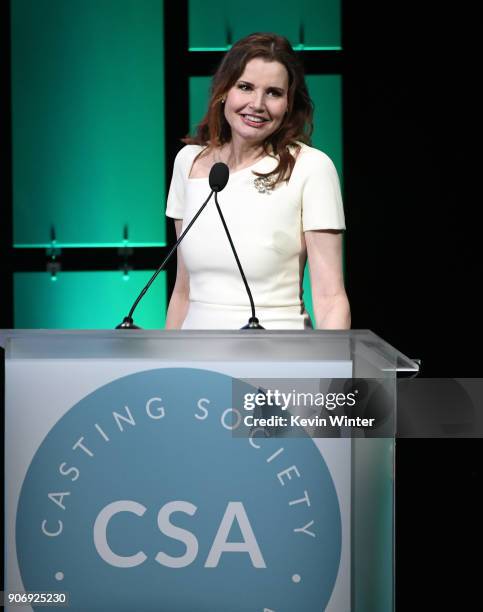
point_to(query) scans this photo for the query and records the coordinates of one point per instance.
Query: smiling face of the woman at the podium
(256, 104)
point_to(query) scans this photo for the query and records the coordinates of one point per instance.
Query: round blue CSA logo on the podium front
(141, 498)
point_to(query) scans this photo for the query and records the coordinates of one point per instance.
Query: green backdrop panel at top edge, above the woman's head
(308, 24)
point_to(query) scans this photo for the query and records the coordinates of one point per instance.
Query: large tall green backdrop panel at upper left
(88, 122)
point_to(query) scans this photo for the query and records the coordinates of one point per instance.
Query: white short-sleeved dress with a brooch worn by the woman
(267, 230)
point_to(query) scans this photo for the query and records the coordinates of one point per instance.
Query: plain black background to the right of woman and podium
(413, 259)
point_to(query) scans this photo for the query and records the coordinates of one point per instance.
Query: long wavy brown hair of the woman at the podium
(214, 129)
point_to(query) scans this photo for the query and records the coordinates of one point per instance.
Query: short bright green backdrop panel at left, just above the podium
(87, 300)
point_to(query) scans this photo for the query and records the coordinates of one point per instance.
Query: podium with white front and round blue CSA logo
(183, 471)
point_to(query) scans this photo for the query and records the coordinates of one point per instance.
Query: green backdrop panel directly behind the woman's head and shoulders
(326, 93)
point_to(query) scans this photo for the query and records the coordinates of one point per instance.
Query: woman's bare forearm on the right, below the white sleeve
(329, 299)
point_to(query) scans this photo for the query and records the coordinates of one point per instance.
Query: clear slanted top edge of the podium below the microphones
(357, 346)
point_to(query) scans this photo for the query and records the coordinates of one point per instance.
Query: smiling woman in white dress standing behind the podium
(282, 203)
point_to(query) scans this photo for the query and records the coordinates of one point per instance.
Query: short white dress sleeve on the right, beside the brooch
(322, 206)
